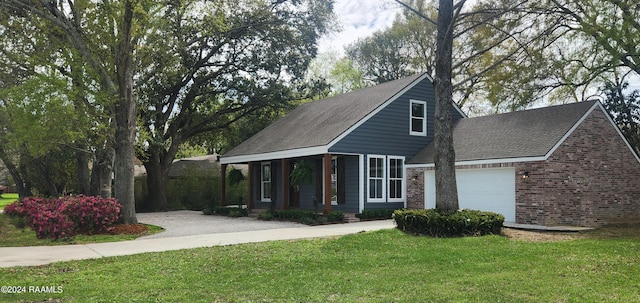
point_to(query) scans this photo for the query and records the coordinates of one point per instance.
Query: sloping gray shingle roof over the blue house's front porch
(318, 123)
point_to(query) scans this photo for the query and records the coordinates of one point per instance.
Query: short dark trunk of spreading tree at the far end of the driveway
(157, 175)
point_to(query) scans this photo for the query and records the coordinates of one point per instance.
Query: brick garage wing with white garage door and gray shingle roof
(558, 165)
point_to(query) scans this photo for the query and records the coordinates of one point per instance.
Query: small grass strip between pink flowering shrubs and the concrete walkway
(12, 236)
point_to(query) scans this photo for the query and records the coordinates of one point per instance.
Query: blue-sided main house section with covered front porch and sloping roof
(356, 143)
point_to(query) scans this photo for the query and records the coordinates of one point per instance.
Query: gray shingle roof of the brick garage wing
(529, 133)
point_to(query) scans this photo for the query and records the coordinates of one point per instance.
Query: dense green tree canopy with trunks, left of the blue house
(154, 74)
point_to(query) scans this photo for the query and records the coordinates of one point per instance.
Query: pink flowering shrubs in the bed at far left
(67, 216)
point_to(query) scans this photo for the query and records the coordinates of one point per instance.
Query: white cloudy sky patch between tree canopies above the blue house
(358, 19)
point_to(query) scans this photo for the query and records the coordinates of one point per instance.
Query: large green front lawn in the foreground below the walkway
(383, 266)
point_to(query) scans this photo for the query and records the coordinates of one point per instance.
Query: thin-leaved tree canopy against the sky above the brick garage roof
(511, 53)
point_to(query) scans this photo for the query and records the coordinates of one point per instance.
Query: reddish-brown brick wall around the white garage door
(592, 179)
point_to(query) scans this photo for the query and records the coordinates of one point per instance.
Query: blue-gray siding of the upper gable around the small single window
(387, 132)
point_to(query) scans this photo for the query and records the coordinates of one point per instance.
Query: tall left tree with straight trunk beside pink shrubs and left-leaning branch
(102, 36)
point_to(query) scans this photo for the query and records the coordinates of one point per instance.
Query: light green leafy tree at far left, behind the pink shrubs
(51, 102)
